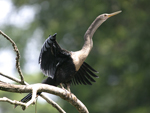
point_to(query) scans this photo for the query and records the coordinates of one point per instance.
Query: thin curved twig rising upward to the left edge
(17, 55)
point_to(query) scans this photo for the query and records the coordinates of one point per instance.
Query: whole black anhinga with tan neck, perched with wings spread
(65, 67)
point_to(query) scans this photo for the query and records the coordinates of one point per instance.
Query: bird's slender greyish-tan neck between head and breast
(88, 44)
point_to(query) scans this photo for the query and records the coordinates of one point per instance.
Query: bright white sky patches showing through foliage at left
(21, 18)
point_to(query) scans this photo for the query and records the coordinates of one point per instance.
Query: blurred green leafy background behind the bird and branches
(121, 50)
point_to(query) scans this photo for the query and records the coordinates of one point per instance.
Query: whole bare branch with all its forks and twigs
(25, 88)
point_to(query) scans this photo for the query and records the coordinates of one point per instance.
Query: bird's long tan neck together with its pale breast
(79, 56)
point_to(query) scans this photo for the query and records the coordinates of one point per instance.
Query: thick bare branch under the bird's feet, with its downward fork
(44, 88)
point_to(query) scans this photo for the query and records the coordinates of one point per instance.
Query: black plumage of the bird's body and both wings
(57, 64)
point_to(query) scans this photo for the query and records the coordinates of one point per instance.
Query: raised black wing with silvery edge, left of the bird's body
(51, 56)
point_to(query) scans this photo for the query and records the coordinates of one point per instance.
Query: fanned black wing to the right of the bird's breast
(84, 75)
